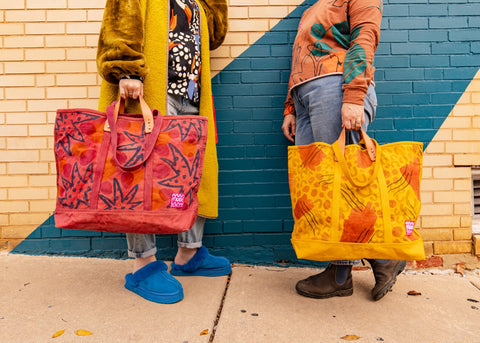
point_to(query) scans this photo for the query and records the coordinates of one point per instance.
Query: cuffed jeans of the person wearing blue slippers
(144, 245)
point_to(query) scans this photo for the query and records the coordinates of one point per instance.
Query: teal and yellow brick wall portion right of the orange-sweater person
(425, 66)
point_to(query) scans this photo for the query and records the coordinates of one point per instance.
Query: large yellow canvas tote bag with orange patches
(356, 201)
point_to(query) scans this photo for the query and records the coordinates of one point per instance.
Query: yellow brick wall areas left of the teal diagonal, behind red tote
(47, 61)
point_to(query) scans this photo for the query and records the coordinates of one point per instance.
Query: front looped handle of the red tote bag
(150, 137)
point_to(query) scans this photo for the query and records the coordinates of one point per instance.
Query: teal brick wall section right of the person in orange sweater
(424, 63)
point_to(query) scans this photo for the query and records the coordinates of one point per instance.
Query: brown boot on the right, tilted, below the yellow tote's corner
(385, 276)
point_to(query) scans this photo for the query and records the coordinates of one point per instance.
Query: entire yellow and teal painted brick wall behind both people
(427, 57)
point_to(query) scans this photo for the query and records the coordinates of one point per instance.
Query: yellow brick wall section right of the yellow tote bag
(446, 217)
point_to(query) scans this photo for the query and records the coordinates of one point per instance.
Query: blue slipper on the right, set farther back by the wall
(202, 264)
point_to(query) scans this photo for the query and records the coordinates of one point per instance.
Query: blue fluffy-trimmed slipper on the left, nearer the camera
(153, 283)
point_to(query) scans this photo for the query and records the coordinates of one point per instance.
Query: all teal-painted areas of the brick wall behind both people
(427, 56)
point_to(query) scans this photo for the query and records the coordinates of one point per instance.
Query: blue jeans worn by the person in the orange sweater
(318, 105)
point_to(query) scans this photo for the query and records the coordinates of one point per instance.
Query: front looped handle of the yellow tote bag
(373, 150)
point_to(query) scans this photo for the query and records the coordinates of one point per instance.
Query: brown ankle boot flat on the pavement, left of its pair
(324, 285)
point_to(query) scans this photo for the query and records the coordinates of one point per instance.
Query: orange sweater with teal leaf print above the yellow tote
(337, 37)
